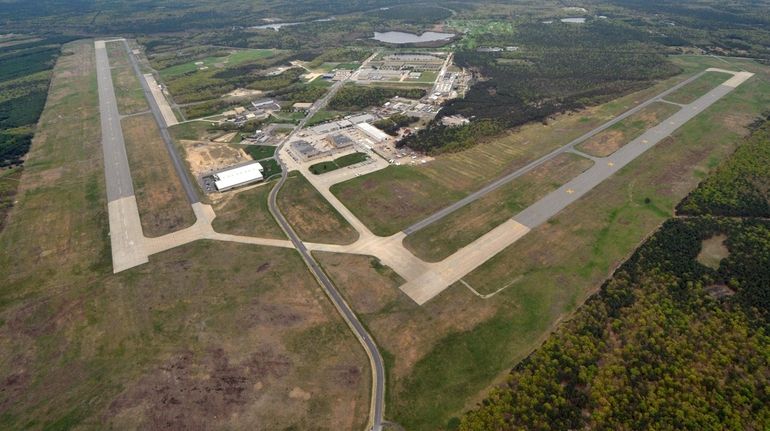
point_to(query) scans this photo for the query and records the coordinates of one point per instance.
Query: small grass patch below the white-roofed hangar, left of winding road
(246, 213)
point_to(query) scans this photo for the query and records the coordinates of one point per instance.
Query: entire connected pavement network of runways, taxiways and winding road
(423, 280)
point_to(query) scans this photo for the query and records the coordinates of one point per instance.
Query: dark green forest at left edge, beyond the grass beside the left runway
(25, 72)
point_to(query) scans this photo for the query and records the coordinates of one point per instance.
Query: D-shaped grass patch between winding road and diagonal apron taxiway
(312, 216)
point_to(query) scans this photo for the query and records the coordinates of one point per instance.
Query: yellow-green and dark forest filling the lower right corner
(667, 343)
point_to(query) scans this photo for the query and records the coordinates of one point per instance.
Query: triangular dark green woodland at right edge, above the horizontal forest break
(740, 186)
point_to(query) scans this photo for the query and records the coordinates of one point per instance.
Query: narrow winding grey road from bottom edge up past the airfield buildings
(375, 358)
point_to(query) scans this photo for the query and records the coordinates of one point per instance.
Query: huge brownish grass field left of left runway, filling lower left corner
(223, 344)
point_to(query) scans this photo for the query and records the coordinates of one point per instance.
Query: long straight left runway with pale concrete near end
(125, 226)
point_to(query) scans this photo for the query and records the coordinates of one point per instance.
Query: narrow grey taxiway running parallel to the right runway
(494, 185)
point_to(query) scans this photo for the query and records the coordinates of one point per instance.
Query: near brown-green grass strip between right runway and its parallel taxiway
(446, 236)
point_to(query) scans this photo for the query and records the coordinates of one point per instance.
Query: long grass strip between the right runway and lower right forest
(552, 270)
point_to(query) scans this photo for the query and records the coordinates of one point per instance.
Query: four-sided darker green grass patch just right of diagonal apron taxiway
(391, 199)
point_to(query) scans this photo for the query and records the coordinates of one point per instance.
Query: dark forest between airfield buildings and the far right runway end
(558, 67)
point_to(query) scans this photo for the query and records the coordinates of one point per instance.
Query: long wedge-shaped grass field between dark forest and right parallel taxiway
(423, 189)
